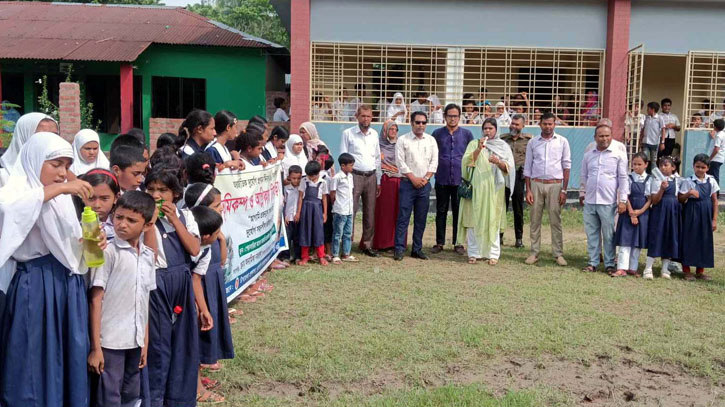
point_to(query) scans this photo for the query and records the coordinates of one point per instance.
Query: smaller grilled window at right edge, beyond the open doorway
(705, 89)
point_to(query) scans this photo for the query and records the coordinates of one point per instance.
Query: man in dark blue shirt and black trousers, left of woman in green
(452, 141)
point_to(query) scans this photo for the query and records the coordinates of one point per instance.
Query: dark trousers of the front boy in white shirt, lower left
(120, 381)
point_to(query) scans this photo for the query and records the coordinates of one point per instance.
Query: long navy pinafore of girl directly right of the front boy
(173, 355)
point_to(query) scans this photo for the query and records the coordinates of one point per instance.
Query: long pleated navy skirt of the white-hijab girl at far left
(44, 345)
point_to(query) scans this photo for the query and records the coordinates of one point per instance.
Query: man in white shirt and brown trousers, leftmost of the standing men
(362, 143)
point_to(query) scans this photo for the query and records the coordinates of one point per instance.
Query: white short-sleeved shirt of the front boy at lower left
(127, 277)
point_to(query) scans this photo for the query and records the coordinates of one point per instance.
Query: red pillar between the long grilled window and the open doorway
(616, 65)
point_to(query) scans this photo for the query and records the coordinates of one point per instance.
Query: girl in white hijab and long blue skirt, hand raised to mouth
(47, 308)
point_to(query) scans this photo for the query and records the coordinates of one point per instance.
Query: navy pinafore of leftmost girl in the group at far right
(627, 234)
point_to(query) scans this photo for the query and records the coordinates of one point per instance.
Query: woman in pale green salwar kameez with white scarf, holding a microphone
(488, 164)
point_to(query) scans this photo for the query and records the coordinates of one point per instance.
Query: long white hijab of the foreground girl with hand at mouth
(22, 207)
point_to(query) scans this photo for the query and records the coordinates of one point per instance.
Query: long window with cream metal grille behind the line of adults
(531, 81)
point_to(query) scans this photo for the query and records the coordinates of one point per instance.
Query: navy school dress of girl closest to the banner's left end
(216, 343)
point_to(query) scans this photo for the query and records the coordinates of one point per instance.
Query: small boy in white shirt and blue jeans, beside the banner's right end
(342, 210)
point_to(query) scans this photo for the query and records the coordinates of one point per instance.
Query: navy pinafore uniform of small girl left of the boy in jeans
(311, 230)
